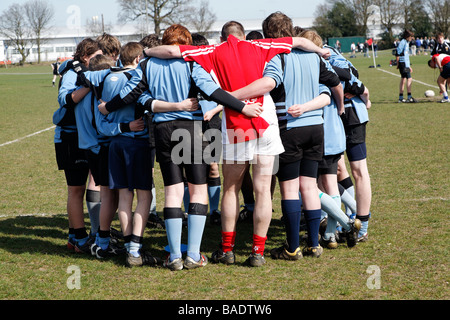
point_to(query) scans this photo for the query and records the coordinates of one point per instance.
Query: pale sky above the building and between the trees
(224, 9)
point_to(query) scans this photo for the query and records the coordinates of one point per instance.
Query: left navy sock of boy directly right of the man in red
(291, 213)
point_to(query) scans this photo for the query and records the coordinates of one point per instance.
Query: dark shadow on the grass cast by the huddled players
(48, 235)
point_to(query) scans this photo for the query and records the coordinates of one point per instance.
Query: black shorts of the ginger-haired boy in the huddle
(180, 147)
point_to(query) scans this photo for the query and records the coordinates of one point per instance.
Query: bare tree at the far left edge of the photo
(14, 27)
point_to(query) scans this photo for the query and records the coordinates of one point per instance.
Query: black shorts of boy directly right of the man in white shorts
(302, 143)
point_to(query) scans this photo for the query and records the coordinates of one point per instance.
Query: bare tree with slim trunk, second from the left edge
(39, 14)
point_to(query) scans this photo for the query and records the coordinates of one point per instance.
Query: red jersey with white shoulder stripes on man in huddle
(234, 64)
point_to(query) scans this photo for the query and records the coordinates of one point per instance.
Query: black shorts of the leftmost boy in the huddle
(72, 159)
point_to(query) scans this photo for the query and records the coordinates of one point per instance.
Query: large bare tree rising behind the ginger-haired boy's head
(161, 13)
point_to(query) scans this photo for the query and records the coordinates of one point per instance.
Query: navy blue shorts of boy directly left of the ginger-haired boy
(130, 164)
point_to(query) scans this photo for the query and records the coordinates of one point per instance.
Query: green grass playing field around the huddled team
(408, 157)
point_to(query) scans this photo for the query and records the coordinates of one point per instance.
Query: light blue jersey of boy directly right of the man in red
(301, 84)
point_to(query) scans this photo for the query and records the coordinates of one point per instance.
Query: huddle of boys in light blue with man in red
(307, 123)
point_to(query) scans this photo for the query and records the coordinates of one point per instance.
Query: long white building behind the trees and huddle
(62, 41)
